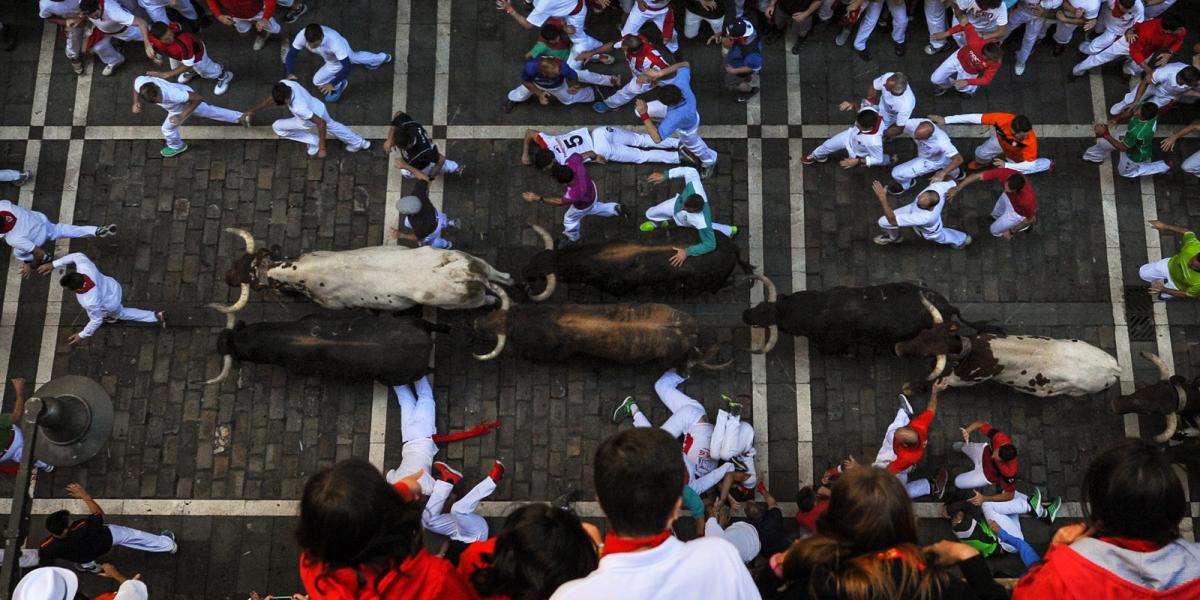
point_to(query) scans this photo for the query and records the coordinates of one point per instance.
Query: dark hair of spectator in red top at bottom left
(352, 518)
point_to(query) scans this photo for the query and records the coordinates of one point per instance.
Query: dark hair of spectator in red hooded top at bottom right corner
(1132, 491)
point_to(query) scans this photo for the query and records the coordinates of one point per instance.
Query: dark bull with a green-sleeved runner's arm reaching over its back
(620, 267)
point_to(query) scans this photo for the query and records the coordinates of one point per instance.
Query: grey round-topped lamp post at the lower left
(67, 422)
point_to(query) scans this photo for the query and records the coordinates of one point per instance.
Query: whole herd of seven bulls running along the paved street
(908, 320)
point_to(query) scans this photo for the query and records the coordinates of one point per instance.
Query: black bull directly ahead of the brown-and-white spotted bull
(837, 320)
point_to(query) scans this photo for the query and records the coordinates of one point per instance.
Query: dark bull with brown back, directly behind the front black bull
(632, 334)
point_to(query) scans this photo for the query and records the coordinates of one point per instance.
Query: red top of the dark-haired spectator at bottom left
(422, 577)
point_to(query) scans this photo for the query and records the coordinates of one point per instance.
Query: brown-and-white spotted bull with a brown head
(1036, 365)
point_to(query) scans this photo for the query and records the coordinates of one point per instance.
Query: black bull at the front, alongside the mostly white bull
(392, 350)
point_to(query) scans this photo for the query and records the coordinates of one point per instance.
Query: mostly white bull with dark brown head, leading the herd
(379, 278)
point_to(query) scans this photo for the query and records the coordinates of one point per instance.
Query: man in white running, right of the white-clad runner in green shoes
(310, 123)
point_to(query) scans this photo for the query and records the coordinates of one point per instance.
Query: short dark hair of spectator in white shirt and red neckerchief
(639, 477)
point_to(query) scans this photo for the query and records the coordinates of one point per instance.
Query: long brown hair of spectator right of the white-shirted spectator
(869, 513)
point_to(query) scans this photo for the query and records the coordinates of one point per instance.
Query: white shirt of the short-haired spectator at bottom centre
(709, 568)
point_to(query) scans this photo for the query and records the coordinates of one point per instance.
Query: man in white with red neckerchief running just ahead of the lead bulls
(99, 295)
